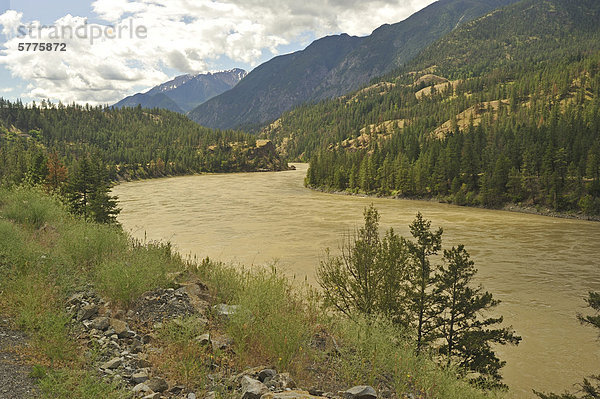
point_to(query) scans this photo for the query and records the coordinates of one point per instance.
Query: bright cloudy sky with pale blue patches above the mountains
(115, 48)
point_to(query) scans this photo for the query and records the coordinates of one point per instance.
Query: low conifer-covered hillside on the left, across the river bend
(134, 143)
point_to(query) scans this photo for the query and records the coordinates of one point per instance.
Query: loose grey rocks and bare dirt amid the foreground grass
(126, 341)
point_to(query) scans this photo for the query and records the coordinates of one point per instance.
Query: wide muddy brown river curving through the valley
(539, 267)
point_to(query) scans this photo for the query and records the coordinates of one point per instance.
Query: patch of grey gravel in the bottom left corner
(15, 382)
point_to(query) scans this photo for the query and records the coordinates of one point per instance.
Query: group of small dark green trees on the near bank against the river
(437, 303)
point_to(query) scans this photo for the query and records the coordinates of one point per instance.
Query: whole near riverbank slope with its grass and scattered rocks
(112, 317)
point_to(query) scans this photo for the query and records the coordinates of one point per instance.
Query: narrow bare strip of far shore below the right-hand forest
(531, 210)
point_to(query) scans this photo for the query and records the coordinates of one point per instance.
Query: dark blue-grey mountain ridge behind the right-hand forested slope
(334, 65)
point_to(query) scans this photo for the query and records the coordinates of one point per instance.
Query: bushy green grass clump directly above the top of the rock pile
(142, 268)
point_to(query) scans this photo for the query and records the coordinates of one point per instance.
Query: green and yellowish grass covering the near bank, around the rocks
(46, 255)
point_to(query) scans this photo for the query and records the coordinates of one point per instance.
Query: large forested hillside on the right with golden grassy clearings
(502, 110)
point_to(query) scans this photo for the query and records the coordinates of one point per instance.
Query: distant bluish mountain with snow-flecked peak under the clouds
(185, 92)
